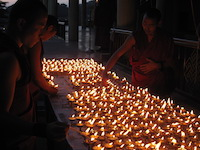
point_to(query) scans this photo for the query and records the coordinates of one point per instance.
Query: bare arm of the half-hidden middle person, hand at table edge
(38, 78)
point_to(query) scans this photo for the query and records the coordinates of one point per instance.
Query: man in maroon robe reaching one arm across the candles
(152, 53)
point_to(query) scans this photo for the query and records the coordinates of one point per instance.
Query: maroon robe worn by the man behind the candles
(160, 50)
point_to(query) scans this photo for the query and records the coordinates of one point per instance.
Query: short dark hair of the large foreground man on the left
(28, 10)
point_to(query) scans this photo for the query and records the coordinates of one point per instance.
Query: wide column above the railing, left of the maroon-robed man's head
(126, 14)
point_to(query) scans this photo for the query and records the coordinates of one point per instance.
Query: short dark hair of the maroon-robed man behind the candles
(153, 13)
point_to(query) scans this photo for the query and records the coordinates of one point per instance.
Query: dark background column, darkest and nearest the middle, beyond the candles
(73, 20)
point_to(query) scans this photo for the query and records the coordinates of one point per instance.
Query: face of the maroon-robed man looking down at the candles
(149, 26)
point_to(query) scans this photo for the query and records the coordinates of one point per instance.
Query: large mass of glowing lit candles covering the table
(120, 116)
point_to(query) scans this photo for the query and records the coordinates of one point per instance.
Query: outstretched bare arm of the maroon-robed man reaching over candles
(126, 46)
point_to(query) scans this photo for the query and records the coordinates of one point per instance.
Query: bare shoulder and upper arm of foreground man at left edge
(9, 74)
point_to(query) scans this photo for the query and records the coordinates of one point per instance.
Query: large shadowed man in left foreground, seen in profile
(18, 127)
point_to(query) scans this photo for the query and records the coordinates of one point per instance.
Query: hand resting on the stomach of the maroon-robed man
(150, 66)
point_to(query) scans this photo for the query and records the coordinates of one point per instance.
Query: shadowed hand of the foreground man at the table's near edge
(57, 131)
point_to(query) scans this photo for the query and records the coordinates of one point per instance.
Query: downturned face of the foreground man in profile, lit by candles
(32, 33)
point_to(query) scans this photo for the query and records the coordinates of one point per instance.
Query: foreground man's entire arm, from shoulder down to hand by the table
(10, 124)
